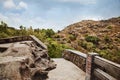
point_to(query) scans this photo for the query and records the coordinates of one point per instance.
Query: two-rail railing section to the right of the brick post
(105, 69)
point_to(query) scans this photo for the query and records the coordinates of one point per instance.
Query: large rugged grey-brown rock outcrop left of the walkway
(24, 60)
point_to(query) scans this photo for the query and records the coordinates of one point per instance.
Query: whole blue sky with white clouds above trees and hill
(55, 14)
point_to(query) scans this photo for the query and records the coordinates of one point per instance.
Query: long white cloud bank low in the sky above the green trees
(15, 20)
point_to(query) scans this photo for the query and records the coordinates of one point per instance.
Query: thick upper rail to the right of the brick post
(107, 66)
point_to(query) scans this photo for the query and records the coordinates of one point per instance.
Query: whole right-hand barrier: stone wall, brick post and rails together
(96, 68)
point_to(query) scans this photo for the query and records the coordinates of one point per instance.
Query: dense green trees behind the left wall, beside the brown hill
(45, 35)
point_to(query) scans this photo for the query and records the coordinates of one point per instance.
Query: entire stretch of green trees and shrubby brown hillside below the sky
(105, 42)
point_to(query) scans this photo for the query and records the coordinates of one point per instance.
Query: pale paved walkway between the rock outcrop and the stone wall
(66, 71)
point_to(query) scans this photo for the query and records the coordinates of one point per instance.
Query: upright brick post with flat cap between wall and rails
(89, 65)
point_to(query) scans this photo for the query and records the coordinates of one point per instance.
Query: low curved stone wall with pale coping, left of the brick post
(76, 57)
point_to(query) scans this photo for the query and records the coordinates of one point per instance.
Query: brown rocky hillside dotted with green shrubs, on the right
(86, 36)
